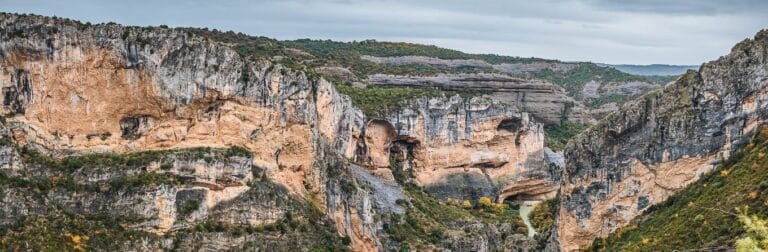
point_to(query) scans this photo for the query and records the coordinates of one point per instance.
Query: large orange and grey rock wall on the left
(108, 88)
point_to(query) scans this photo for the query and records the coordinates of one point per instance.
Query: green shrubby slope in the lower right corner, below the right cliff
(702, 216)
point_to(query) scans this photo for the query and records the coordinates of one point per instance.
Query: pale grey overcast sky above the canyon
(609, 31)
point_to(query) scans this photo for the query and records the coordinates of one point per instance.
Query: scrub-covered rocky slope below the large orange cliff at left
(59, 204)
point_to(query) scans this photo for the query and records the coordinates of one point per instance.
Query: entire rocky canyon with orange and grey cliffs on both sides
(187, 141)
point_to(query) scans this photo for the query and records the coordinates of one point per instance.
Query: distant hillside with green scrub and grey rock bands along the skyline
(595, 87)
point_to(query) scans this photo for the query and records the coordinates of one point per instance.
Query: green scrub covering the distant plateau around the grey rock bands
(318, 53)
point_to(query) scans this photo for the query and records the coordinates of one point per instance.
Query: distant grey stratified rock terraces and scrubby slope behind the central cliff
(584, 91)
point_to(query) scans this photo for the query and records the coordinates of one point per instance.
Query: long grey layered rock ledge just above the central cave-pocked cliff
(545, 102)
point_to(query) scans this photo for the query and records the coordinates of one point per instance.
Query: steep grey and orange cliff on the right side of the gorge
(662, 142)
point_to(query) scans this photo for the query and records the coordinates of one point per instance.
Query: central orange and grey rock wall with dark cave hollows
(460, 148)
